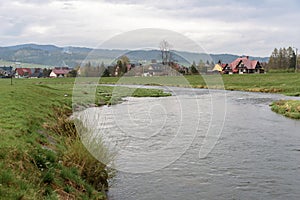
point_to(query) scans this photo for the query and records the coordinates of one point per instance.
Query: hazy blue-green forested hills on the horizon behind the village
(51, 55)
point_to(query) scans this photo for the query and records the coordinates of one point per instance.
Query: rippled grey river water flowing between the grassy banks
(201, 144)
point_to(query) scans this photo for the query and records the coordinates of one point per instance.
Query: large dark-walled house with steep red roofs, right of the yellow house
(243, 65)
